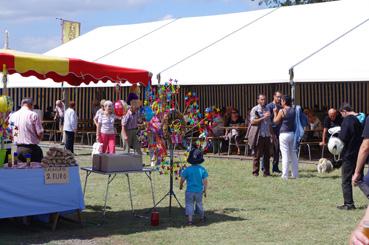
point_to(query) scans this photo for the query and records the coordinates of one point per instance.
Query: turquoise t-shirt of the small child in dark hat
(194, 175)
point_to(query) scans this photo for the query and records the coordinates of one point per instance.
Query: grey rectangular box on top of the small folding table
(120, 162)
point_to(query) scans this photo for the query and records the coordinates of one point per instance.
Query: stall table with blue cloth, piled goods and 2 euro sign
(50, 187)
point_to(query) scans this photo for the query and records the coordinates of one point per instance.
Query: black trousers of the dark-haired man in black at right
(348, 170)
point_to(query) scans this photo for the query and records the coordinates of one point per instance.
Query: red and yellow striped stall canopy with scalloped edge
(72, 71)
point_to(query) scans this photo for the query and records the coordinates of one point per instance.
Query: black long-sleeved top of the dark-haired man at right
(351, 131)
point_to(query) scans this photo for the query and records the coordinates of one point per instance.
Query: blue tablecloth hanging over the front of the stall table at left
(23, 192)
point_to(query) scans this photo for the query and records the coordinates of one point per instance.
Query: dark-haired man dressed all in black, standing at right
(351, 130)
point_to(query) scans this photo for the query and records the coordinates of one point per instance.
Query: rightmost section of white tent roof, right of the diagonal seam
(347, 59)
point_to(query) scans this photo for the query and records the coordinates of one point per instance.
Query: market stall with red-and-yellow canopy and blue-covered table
(54, 184)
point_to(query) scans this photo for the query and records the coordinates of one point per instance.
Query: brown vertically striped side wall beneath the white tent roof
(242, 97)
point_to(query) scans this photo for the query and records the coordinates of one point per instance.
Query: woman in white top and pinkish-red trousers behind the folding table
(106, 131)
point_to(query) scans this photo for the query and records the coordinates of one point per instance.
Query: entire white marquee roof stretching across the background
(249, 47)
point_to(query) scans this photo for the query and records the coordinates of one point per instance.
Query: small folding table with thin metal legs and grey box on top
(111, 165)
